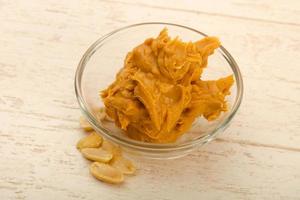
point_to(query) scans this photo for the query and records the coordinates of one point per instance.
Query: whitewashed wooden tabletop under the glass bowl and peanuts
(41, 43)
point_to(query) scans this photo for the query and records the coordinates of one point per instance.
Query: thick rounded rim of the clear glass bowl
(134, 144)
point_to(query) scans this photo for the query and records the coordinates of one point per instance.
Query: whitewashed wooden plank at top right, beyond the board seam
(268, 11)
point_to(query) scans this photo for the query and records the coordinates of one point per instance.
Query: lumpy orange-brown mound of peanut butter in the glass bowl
(159, 91)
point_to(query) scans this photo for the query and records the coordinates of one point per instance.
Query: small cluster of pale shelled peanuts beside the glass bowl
(108, 165)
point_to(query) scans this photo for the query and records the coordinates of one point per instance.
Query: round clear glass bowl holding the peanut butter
(100, 63)
